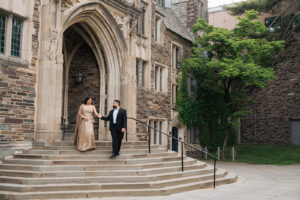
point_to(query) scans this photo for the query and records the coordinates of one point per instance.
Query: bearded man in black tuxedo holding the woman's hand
(117, 125)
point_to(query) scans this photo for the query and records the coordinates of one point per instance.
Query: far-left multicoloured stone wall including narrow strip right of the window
(18, 90)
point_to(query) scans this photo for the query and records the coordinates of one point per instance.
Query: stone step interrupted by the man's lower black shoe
(92, 157)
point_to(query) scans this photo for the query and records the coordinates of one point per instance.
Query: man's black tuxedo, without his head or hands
(116, 128)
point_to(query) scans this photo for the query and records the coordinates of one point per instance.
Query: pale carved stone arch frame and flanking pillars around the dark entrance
(102, 35)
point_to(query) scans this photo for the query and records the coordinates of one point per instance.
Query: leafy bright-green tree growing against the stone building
(227, 65)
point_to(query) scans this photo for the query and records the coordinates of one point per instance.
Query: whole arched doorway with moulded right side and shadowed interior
(96, 32)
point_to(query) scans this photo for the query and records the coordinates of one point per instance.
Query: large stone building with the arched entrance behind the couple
(54, 53)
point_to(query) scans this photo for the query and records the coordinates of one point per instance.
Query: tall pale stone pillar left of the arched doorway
(50, 76)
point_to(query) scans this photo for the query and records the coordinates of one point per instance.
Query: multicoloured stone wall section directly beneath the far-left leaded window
(17, 89)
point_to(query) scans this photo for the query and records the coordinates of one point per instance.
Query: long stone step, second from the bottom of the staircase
(105, 179)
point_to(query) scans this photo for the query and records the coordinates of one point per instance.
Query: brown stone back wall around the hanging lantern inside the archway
(83, 62)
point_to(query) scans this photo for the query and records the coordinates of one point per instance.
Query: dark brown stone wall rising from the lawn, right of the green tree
(277, 104)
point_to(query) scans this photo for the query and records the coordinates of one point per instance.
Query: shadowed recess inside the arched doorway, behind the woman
(81, 76)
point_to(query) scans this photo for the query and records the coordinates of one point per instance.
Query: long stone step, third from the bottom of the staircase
(87, 173)
